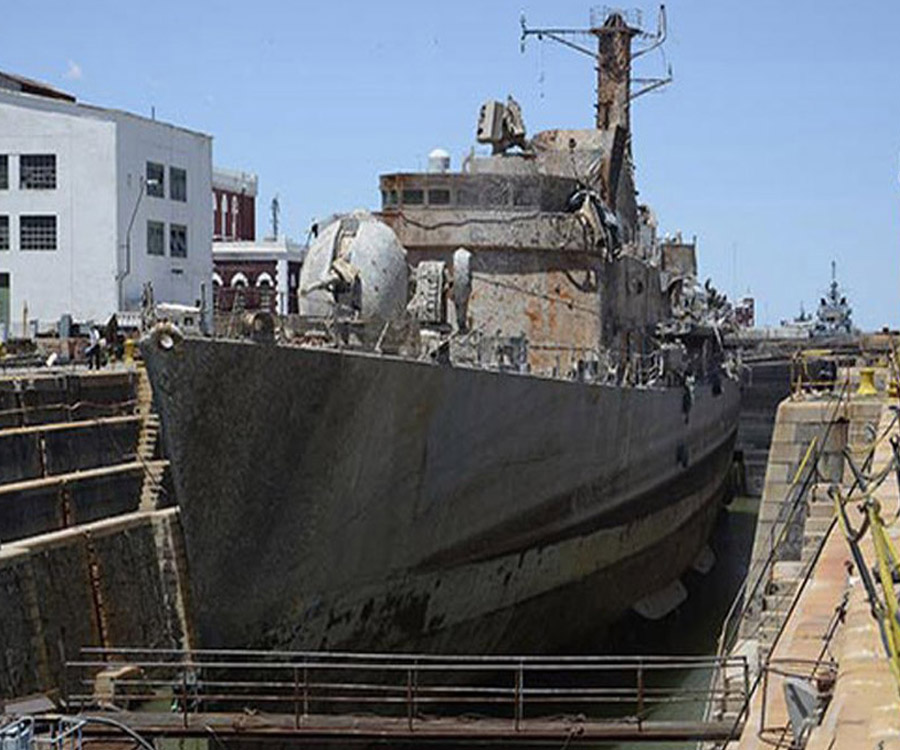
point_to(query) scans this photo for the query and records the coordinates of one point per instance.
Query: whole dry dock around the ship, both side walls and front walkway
(92, 555)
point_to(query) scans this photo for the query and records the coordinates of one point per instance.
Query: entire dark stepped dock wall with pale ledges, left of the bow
(90, 544)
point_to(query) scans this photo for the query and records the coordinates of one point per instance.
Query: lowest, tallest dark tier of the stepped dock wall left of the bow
(114, 582)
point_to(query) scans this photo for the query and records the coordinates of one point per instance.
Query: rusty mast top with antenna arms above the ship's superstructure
(613, 29)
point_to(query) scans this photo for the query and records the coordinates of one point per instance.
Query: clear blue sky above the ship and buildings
(777, 144)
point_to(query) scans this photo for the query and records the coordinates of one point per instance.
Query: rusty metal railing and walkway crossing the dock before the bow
(413, 687)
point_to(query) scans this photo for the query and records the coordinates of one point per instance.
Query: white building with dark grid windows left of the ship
(94, 203)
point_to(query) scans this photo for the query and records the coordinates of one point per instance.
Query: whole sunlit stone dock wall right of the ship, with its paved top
(817, 625)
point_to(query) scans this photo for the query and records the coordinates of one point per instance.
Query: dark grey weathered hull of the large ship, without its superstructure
(342, 500)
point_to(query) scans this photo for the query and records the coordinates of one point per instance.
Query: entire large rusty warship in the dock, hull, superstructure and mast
(502, 418)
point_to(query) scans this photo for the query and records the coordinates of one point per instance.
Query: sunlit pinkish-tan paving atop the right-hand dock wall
(830, 621)
